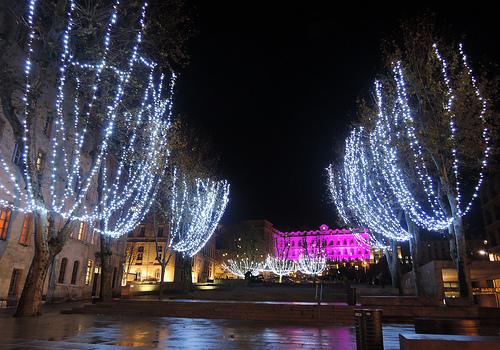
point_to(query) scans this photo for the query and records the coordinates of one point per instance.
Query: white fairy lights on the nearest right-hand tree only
(403, 120)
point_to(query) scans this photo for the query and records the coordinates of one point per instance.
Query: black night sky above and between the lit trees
(275, 84)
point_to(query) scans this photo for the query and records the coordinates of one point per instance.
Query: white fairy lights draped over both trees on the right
(351, 188)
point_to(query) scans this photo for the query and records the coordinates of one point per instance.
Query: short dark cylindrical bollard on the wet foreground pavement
(368, 329)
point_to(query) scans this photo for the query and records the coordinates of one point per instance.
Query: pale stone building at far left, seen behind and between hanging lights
(75, 271)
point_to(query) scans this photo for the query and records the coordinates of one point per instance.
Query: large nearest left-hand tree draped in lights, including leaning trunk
(71, 181)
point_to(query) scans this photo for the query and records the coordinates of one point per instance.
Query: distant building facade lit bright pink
(337, 245)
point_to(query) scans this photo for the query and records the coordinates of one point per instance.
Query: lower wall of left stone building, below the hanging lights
(75, 272)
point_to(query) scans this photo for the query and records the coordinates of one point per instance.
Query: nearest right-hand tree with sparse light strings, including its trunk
(446, 141)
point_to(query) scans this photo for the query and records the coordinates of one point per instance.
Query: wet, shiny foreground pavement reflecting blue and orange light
(53, 330)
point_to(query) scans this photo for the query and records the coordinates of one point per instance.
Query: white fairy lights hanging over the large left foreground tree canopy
(126, 194)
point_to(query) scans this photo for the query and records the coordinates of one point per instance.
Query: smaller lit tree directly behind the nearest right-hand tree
(362, 195)
